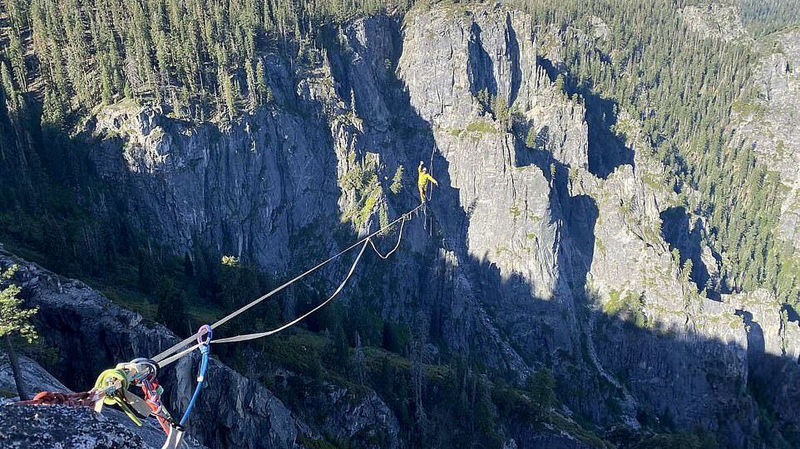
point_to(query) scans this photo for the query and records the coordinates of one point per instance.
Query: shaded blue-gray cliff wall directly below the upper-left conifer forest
(239, 188)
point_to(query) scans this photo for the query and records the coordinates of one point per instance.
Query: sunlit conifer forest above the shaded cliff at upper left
(181, 53)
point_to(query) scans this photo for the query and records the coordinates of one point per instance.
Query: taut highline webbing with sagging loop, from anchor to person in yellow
(177, 351)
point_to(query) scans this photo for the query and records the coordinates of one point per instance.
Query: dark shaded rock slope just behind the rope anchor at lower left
(89, 330)
